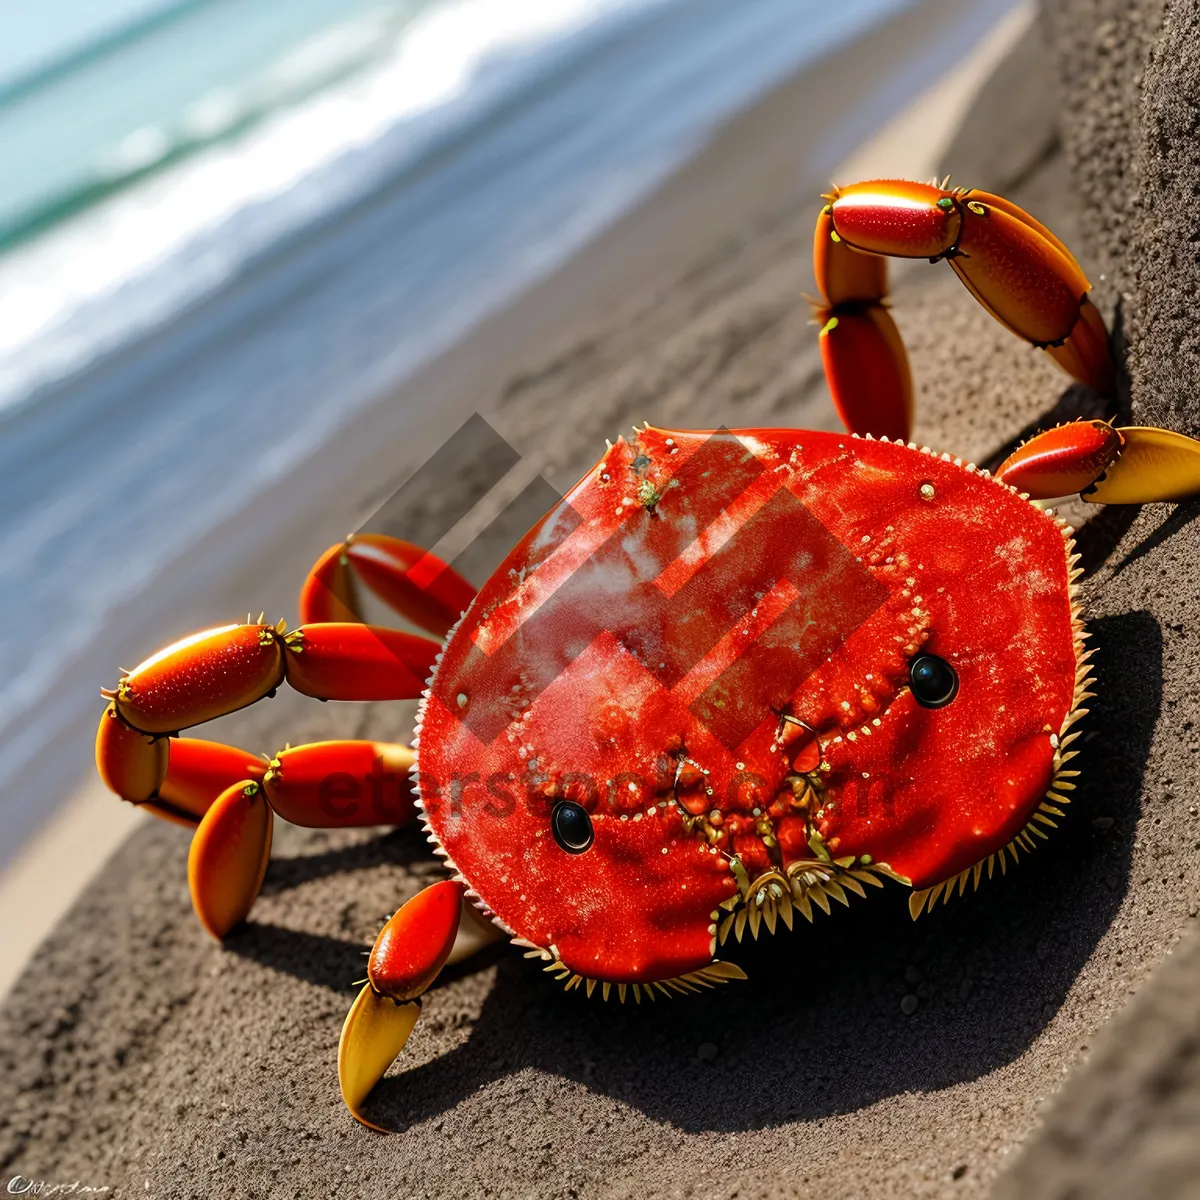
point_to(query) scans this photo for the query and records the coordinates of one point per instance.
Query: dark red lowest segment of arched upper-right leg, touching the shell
(868, 371)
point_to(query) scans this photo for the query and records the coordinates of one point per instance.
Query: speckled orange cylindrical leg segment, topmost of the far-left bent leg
(201, 677)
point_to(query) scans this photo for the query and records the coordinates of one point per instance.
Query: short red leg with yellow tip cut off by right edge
(1106, 465)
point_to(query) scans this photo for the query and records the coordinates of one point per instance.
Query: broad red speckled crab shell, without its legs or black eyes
(639, 650)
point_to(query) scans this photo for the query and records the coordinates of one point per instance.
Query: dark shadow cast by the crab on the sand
(819, 1029)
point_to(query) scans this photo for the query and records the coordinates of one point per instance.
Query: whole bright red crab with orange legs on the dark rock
(733, 677)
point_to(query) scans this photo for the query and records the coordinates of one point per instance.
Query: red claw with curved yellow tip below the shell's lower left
(410, 952)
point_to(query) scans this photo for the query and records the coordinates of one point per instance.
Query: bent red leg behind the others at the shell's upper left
(413, 581)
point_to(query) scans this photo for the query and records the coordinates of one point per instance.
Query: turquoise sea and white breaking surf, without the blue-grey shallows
(195, 135)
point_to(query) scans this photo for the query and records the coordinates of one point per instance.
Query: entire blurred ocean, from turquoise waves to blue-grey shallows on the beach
(260, 218)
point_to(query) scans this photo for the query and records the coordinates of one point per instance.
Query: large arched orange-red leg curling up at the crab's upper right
(1013, 266)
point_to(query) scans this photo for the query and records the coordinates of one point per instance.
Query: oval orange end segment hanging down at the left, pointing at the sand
(229, 857)
